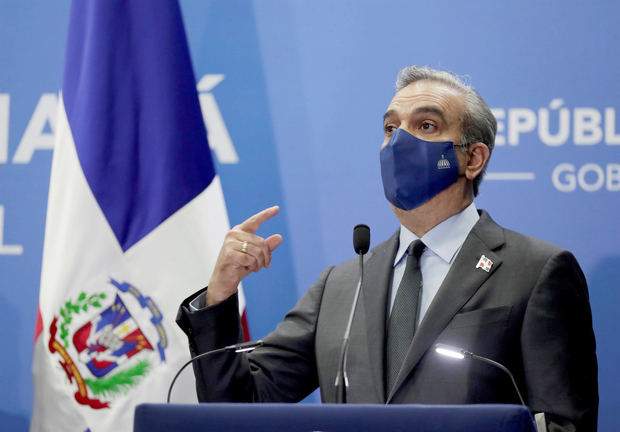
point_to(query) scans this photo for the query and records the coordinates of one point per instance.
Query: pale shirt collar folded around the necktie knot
(445, 239)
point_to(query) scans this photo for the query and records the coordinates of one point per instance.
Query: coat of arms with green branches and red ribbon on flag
(103, 348)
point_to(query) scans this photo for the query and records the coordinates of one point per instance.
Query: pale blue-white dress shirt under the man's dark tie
(443, 243)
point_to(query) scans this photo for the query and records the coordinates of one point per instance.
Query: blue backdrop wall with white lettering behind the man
(303, 91)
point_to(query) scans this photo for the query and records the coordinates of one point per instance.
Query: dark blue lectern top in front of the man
(331, 418)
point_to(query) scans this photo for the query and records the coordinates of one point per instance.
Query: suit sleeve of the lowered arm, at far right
(559, 349)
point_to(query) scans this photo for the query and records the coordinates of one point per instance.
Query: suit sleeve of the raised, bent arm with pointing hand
(282, 370)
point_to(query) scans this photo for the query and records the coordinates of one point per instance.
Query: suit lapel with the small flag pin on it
(460, 284)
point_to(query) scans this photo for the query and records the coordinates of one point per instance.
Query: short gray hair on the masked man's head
(478, 123)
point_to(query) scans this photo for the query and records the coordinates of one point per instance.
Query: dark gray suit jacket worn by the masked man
(530, 312)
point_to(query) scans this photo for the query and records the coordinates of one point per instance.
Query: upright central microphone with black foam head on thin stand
(361, 243)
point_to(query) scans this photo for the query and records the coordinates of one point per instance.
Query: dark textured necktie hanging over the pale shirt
(404, 316)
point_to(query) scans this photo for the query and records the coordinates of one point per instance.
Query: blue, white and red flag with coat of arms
(135, 219)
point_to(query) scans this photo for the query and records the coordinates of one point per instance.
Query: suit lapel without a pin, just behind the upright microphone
(378, 271)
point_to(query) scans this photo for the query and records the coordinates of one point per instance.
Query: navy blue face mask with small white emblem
(414, 170)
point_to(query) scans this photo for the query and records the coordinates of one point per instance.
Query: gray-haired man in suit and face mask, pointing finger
(449, 275)
